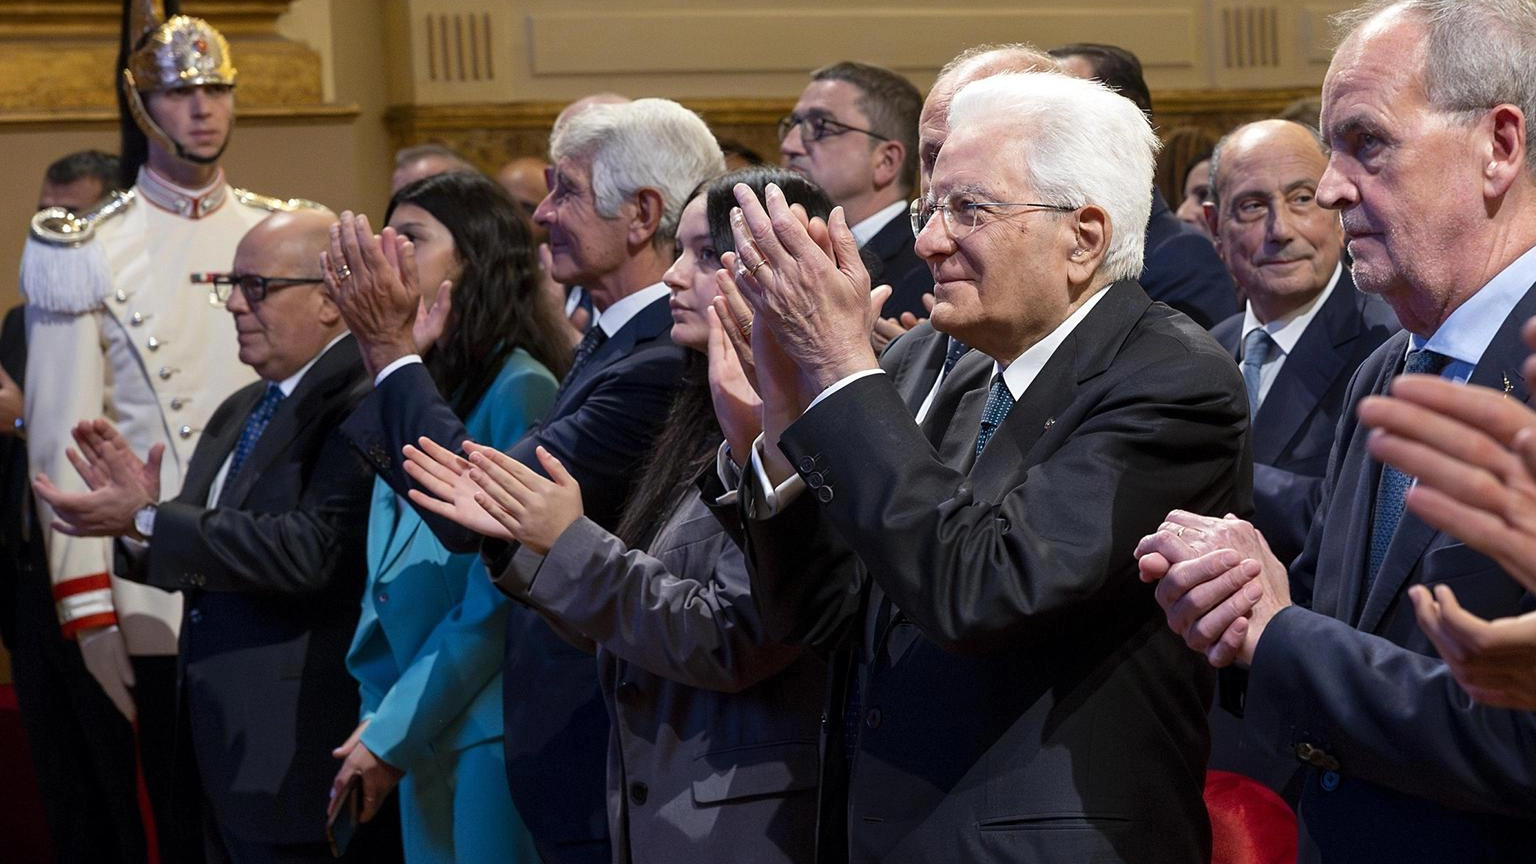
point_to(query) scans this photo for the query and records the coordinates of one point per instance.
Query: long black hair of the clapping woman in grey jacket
(692, 434)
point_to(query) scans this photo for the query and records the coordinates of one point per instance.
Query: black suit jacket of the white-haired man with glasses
(1021, 694)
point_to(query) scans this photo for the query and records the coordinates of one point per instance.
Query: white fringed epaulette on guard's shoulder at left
(64, 270)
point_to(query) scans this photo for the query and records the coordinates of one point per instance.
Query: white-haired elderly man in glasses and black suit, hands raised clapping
(1013, 694)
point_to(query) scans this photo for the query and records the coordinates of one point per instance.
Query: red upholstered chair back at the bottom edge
(1250, 825)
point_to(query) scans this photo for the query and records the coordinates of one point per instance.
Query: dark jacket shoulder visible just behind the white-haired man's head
(1183, 270)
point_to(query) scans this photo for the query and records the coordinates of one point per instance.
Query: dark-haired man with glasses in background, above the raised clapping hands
(855, 133)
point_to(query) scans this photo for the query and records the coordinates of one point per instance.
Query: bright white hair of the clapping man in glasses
(1082, 145)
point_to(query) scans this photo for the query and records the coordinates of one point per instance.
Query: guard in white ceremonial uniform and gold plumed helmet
(116, 328)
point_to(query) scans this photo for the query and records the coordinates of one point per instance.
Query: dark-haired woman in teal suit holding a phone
(429, 646)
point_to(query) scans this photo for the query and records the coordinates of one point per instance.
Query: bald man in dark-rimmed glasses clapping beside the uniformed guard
(268, 543)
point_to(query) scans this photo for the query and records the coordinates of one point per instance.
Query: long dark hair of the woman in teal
(497, 301)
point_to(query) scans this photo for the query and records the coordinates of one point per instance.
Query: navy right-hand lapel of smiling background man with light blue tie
(1308, 373)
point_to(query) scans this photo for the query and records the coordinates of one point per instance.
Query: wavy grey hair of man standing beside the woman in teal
(649, 144)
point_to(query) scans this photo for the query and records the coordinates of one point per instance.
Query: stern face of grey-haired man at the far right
(1403, 173)
